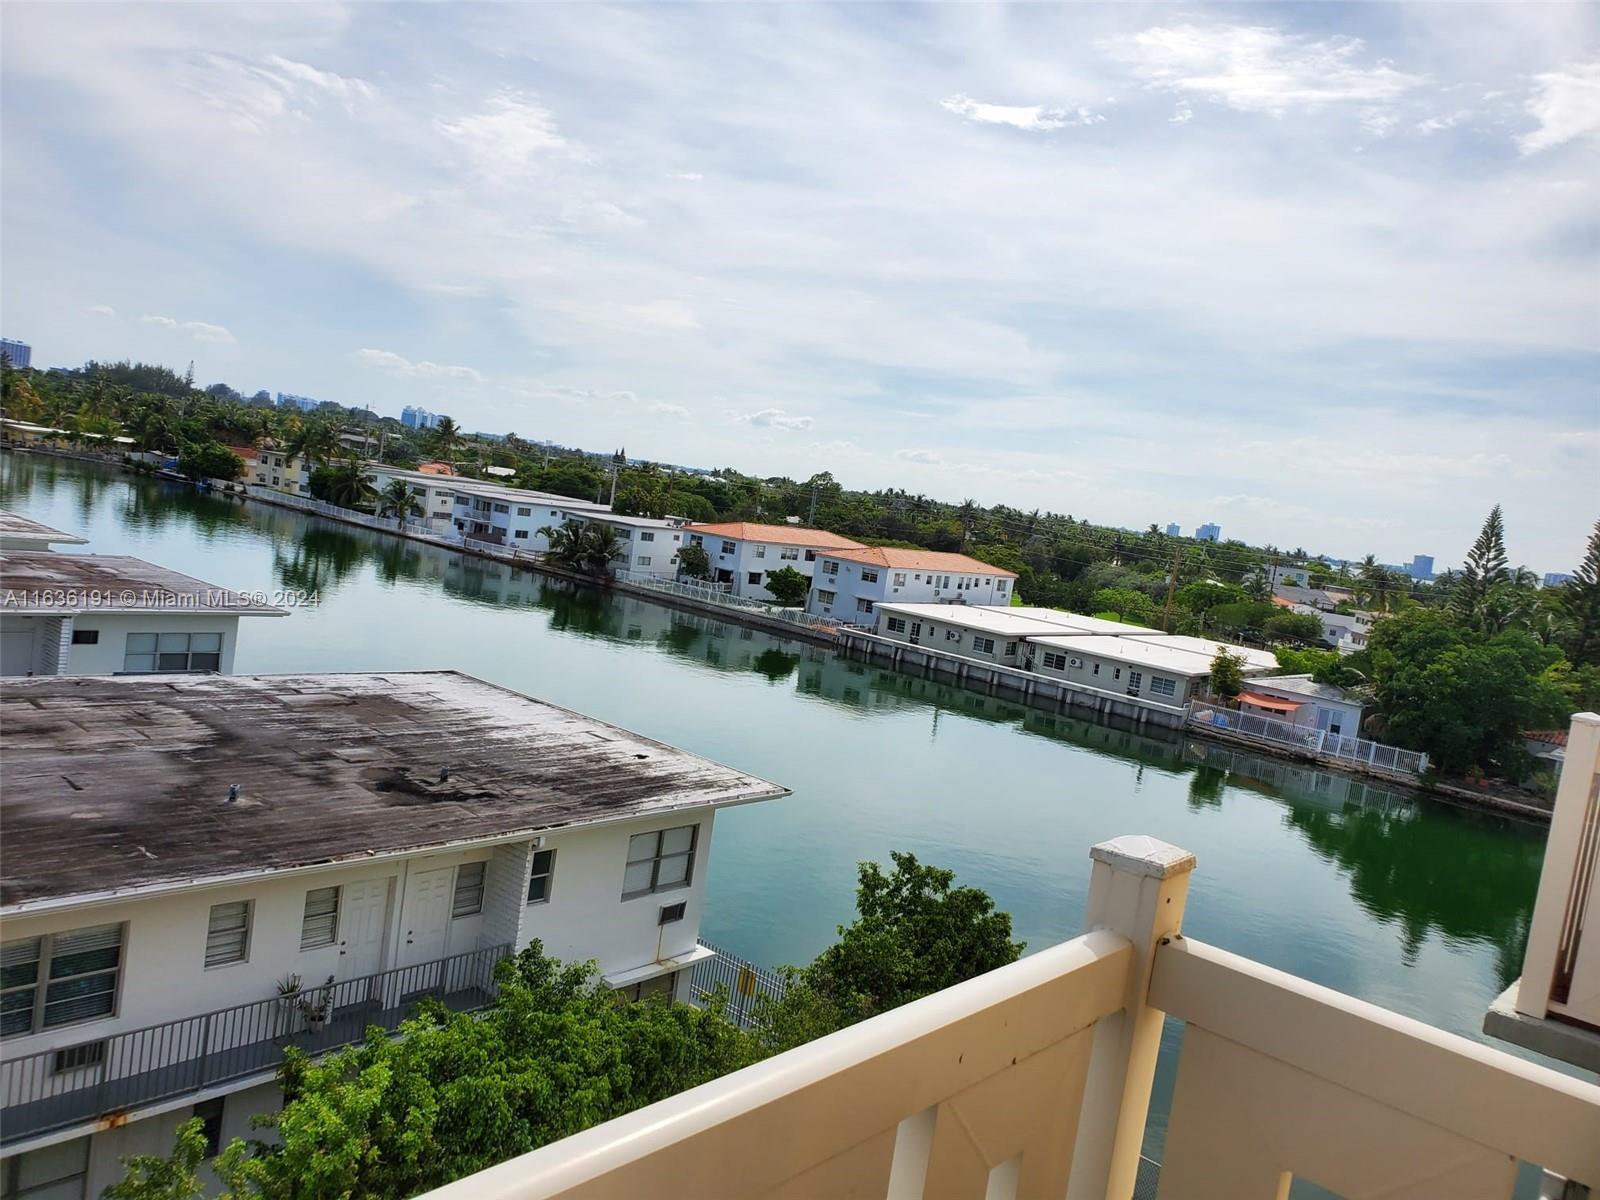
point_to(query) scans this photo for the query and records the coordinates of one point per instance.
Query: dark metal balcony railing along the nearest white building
(95, 1078)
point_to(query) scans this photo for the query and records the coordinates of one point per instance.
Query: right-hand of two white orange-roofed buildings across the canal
(850, 585)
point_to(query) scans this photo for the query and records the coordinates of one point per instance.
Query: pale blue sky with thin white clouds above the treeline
(1322, 274)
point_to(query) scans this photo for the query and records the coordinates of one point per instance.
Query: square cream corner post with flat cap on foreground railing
(1138, 889)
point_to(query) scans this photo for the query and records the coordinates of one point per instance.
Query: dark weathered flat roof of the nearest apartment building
(113, 785)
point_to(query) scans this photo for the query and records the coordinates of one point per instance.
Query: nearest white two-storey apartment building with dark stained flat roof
(166, 895)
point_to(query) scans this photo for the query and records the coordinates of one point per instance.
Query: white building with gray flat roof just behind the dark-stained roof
(100, 615)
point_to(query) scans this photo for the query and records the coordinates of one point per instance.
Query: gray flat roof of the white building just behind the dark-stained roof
(39, 583)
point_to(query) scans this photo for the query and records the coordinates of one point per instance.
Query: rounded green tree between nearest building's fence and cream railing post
(914, 935)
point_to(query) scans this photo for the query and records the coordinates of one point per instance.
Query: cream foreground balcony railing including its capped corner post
(1034, 1081)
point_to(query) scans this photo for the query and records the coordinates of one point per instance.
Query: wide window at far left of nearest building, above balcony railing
(60, 978)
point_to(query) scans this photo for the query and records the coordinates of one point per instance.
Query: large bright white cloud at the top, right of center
(1258, 70)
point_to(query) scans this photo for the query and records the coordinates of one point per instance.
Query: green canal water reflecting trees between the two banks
(1418, 906)
